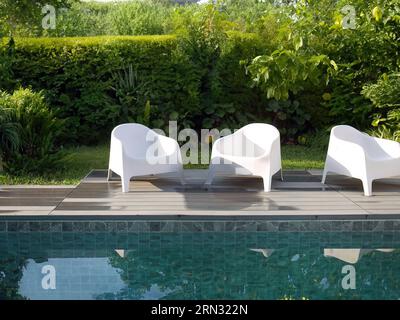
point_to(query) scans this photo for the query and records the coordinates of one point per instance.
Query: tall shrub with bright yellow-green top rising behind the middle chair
(211, 43)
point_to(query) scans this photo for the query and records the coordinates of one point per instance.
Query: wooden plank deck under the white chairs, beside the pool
(300, 196)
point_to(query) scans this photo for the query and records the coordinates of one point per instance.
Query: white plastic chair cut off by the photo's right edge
(358, 155)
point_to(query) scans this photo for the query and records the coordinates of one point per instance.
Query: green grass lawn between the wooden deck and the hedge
(83, 159)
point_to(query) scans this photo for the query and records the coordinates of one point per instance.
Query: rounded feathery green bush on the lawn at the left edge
(37, 131)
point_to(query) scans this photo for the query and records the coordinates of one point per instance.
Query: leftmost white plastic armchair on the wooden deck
(138, 151)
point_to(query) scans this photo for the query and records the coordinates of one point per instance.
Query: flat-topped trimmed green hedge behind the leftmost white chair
(80, 76)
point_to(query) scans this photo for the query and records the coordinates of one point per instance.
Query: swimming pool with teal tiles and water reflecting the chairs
(200, 259)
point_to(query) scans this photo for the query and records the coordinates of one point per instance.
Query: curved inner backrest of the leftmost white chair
(136, 138)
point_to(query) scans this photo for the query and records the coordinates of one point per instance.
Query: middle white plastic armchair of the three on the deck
(256, 148)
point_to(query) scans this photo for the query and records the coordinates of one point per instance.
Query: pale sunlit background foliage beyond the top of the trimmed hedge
(136, 17)
